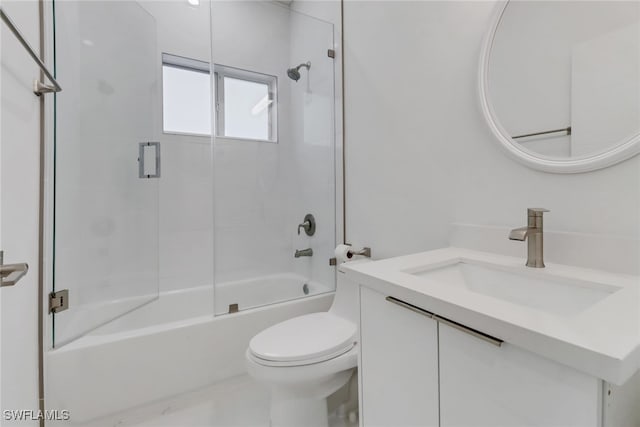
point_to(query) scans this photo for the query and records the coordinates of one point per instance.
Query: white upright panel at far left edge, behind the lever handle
(19, 175)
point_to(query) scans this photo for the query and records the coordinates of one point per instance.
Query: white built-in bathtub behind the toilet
(172, 345)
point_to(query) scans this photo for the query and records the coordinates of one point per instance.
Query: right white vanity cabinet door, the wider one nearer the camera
(485, 385)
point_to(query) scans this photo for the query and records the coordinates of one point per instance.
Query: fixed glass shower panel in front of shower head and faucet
(267, 184)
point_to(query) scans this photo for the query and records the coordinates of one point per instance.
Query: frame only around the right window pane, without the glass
(222, 71)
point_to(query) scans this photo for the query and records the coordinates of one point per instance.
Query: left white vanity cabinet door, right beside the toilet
(399, 365)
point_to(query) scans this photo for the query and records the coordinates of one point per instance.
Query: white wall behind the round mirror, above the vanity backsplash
(419, 154)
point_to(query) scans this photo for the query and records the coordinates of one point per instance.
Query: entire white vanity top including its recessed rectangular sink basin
(577, 316)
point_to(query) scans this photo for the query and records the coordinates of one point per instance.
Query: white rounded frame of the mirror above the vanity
(622, 151)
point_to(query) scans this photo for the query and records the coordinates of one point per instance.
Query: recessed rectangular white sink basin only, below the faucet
(534, 289)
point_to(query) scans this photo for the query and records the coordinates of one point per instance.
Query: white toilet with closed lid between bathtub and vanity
(305, 359)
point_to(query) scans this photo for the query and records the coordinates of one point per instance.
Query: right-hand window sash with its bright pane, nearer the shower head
(246, 104)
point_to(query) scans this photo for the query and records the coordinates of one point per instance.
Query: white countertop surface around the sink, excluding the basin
(603, 340)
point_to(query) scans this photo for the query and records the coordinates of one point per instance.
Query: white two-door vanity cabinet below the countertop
(416, 370)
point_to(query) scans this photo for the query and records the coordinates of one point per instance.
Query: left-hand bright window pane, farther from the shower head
(186, 103)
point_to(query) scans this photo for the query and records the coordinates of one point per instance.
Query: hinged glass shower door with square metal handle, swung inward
(107, 163)
